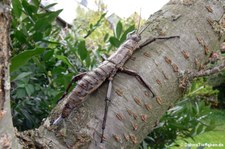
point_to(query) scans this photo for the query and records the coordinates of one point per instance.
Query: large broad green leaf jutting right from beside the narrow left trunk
(21, 59)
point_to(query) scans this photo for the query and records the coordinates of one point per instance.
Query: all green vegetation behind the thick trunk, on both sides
(45, 57)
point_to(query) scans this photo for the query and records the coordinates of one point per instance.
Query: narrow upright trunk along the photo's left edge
(7, 134)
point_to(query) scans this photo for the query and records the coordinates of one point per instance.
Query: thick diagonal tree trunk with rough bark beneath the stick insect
(133, 113)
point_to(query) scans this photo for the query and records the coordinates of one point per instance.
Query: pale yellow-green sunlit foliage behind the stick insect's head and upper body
(104, 39)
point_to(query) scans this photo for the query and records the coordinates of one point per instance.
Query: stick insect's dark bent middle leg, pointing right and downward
(139, 78)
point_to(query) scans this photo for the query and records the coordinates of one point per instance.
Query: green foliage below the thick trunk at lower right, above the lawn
(187, 119)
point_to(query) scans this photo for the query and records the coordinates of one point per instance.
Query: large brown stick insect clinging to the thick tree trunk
(88, 82)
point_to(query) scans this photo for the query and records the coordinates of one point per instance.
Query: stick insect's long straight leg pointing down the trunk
(107, 100)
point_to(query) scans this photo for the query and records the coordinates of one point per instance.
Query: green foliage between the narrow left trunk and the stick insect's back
(46, 57)
